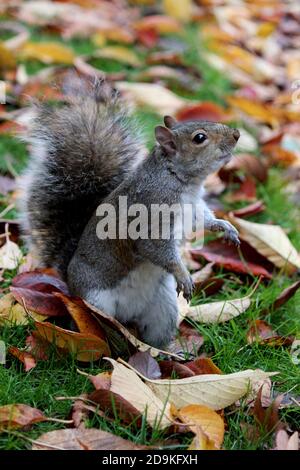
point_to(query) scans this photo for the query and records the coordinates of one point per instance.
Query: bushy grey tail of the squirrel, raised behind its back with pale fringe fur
(80, 152)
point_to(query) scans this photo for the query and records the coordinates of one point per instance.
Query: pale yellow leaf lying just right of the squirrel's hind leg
(214, 312)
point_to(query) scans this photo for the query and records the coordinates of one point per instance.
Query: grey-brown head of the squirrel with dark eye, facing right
(197, 147)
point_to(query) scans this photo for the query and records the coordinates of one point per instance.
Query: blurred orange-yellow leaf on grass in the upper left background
(47, 52)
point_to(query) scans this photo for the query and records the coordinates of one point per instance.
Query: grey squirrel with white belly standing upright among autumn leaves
(87, 153)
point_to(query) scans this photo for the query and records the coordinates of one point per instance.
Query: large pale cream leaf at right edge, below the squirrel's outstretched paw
(270, 241)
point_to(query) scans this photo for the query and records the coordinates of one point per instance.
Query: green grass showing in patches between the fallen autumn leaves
(226, 343)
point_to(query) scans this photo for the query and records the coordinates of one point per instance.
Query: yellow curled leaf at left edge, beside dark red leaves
(14, 313)
